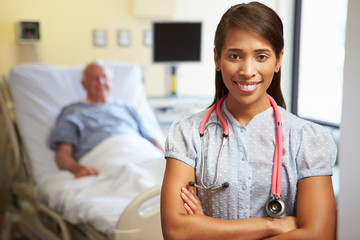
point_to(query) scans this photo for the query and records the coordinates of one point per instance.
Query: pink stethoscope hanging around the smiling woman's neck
(275, 207)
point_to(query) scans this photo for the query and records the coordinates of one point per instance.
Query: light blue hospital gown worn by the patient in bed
(84, 125)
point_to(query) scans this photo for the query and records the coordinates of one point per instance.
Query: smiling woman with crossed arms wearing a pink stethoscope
(222, 179)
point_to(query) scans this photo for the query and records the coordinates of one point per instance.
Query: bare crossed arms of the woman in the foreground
(182, 217)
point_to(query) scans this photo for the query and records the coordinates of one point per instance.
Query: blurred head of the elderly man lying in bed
(96, 83)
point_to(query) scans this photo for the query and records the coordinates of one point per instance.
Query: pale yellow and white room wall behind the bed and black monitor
(66, 35)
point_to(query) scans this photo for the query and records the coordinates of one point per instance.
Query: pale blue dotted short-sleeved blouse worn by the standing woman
(247, 159)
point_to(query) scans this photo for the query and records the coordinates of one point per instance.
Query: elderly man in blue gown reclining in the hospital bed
(82, 125)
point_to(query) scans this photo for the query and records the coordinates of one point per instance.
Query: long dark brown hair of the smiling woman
(262, 20)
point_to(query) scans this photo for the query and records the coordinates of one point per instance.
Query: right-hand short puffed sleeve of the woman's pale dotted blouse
(317, 152)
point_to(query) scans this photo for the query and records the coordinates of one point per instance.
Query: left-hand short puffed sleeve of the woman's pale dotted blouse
(183, 141)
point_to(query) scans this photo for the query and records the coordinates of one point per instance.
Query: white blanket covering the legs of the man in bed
(127, 165)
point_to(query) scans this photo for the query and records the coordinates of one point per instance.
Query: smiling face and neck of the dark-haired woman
(247, 63)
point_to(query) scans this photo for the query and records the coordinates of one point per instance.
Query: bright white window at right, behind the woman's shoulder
(319, 59)
